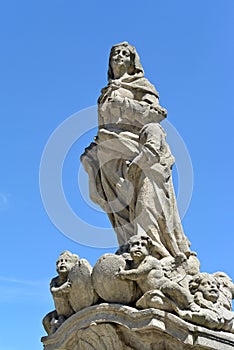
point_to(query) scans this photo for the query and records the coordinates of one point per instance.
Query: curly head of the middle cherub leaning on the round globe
(139, 246)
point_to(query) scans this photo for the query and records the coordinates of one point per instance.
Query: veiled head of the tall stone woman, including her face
(124, 59)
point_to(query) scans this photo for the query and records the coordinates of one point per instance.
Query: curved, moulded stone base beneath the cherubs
(118, 327)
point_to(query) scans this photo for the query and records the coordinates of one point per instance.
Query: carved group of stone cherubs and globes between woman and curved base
(138, 278)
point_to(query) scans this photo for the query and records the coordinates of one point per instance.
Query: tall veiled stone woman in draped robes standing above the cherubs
(129, 164)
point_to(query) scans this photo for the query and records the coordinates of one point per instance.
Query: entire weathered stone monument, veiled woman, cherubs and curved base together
(150, 294)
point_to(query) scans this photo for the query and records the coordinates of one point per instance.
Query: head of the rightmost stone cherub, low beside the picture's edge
(207, 284)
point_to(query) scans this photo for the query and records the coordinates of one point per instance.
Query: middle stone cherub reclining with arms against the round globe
(159, 291)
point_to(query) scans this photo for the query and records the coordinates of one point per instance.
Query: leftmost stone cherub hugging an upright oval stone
(71, 290)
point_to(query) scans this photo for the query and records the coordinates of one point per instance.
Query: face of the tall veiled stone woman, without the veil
(120, 60)
